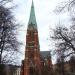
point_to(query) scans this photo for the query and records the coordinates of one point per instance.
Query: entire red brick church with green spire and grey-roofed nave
(36, 62)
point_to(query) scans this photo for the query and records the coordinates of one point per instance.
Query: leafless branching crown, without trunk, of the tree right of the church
(65, 39)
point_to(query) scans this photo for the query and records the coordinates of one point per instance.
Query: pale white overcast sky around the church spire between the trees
(46, 19)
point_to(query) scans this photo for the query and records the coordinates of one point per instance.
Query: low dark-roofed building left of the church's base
(9, 69)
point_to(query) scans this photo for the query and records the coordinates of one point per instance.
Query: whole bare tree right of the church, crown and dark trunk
(64, 39)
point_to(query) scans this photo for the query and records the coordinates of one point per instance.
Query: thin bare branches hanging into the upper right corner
(68, 5)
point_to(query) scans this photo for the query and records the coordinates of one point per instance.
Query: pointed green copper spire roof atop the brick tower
(32, 19)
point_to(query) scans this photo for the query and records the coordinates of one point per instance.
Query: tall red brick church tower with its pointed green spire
(32, 50)
